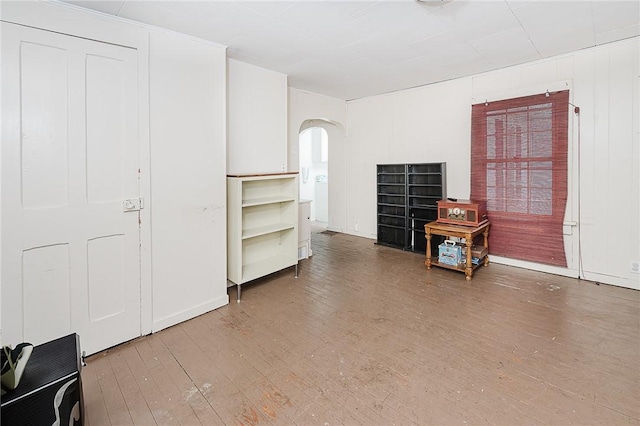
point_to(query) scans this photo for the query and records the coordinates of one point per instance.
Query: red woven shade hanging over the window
(519, 167)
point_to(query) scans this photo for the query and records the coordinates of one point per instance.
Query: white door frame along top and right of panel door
(78, 22)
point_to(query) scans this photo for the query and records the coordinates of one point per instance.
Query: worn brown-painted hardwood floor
(367, 336)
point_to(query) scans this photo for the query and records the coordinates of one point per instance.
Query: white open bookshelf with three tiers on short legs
(262, 225)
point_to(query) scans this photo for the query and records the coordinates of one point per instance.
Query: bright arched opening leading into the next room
(314, 173)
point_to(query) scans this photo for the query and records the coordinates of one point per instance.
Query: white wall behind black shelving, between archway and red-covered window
(430, 124)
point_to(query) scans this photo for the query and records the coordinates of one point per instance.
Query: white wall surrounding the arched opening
(312, 110)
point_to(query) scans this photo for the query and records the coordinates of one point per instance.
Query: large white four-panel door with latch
(70, 253)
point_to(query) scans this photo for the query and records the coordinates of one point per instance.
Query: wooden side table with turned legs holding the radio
(460, 231)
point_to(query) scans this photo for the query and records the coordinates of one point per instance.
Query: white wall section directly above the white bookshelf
(257, 119)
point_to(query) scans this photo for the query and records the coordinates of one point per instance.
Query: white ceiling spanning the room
(353, 49)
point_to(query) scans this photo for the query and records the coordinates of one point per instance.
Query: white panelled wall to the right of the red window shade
(607, 91)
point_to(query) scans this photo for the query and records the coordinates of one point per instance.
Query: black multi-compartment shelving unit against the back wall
(407, 197)
